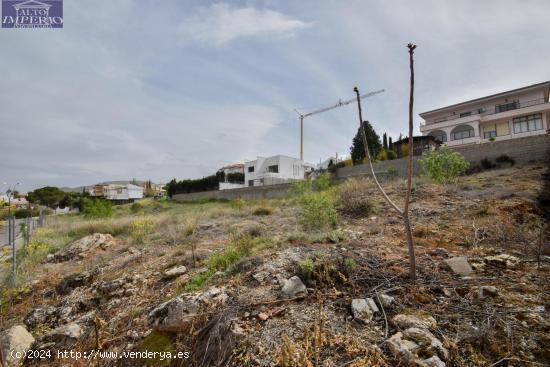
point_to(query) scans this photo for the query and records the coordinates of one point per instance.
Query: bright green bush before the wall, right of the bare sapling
(443, 165)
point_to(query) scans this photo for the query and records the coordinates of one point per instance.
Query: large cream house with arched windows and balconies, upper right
(513, 114)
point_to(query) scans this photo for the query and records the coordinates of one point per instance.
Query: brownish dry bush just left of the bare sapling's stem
(354, 198)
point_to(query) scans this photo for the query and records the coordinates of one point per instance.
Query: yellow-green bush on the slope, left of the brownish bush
(318, 210)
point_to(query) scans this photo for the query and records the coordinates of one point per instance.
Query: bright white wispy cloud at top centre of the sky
(221, 23)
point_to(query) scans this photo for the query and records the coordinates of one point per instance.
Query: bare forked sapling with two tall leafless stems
(404, 213)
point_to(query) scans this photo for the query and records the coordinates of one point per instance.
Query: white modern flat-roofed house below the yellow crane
(275, 170)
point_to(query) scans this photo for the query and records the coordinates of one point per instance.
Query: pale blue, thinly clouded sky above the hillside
(176, 89)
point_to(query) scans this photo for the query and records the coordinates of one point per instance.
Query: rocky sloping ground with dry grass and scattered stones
(246, 284)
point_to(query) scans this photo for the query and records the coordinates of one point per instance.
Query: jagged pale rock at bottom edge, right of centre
(413, 344)
